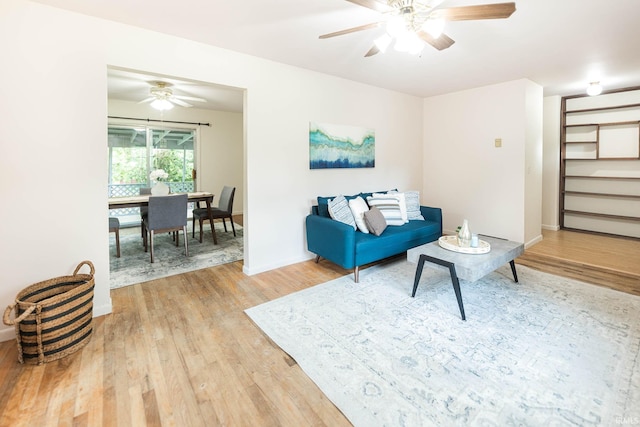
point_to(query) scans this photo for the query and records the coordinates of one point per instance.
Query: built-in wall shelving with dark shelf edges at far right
(600, 163)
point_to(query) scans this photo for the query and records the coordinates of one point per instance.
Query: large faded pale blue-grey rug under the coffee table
(546, 351)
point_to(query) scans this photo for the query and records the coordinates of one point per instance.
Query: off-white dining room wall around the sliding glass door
(220, 146)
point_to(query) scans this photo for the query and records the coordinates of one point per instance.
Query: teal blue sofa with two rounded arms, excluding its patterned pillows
(349, 248)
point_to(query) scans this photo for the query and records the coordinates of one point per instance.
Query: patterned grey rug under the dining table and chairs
(134, 264)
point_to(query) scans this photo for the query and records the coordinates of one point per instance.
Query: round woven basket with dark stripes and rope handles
(53, 318)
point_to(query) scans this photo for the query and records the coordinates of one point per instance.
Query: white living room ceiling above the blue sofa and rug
(559, 44)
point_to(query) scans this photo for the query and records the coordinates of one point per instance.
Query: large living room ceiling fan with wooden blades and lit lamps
(412, 23)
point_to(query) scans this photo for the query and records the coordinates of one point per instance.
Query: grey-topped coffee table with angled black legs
(469, 267)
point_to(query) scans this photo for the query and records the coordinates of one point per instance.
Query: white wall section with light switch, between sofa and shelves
(467, 176)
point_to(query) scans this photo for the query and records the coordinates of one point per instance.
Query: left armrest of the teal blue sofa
(332, 240)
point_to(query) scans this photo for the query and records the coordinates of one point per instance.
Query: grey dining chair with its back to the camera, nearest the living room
(166, 214)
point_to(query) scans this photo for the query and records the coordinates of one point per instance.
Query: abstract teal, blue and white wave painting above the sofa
(338, 146)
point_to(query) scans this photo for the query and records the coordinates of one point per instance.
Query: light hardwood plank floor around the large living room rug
(180, 351)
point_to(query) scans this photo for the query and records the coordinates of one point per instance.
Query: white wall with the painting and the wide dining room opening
(54, 164)
